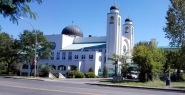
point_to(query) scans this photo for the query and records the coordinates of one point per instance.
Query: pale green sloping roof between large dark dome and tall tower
(84, 46)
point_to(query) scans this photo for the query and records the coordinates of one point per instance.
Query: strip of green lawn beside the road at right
(149, 84)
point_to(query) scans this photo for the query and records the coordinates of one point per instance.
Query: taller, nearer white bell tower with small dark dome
(113, 43)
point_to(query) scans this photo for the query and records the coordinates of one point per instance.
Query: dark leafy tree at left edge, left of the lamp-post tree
(10, 50)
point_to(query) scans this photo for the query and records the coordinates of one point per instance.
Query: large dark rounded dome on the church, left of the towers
(72, 30)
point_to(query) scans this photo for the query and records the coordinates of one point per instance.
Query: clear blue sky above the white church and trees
(90, 16)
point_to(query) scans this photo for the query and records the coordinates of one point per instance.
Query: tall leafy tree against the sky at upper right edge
(175, 30)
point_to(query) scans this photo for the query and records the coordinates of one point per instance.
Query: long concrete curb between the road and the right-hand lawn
(138, 87)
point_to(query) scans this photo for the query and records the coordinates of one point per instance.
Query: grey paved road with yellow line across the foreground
(10, 86)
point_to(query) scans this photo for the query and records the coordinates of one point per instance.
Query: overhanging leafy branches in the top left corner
(17, 8)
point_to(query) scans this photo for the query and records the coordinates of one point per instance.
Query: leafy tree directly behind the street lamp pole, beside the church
(27, 40)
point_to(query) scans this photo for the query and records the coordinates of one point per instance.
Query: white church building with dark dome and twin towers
(71, 50)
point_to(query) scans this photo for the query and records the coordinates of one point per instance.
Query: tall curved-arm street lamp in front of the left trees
(35, 56)
